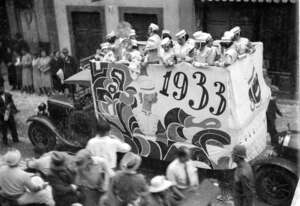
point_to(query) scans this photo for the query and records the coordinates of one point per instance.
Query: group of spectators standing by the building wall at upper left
(36, 70)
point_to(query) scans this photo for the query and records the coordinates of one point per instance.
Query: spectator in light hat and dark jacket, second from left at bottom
(61, 178)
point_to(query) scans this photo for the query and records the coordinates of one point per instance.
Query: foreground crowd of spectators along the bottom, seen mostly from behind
(92, 177)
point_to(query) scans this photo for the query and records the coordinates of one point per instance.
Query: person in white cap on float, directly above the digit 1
(167, 52)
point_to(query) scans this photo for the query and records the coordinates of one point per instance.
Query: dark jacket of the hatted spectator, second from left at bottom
(61, 181)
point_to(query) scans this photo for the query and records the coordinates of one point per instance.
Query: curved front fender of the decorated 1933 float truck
(48, 123)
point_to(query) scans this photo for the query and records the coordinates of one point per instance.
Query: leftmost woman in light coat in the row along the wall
(26, 71)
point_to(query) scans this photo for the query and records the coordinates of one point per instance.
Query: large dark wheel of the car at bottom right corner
(275, 185)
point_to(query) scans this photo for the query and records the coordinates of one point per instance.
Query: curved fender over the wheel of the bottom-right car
(276, 161)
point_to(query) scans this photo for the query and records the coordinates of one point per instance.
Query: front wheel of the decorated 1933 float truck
(40, 135)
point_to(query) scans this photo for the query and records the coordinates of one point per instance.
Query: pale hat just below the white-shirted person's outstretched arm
(130, 162)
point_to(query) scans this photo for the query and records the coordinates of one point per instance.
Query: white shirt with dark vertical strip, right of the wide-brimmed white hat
(176, 174)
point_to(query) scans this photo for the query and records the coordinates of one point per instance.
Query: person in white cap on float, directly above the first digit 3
(203, 54)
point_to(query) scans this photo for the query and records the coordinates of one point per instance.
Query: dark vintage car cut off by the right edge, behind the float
(277, 174)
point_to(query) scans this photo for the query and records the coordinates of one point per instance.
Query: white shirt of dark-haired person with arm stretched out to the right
(107, 148)
